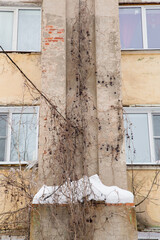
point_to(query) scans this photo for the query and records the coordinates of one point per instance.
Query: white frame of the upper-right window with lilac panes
(144, 25)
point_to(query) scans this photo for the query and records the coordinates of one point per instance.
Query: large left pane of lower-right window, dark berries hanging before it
(137, 138)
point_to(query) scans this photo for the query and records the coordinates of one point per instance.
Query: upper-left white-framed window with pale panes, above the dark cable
(20, 29)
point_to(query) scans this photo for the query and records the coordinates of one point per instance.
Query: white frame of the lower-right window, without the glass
(149, 111)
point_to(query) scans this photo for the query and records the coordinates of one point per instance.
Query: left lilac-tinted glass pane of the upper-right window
(130, 28)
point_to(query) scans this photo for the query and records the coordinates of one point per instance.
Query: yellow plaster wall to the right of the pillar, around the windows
(140, 86)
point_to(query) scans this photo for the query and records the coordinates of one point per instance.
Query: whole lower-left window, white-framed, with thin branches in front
(18, 134)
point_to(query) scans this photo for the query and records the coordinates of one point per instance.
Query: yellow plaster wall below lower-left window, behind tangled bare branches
(17, 187)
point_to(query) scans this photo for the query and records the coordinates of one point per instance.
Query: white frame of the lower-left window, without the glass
(20, 110)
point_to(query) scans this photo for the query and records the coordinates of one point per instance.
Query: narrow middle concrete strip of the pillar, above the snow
(81, 83)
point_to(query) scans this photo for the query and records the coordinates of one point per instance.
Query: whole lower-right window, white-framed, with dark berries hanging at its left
(142, 134)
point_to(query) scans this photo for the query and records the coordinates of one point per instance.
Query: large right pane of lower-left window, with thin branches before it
(23, 139)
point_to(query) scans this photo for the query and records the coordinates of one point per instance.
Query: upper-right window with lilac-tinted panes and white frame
(140, 27)
